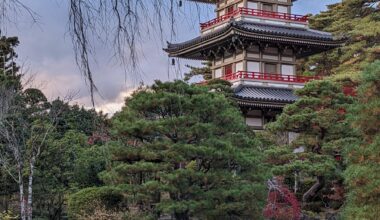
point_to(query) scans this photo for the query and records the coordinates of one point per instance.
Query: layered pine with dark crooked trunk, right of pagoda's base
(312, 160)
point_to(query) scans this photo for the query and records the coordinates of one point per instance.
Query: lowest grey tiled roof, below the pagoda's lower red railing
(266, 94)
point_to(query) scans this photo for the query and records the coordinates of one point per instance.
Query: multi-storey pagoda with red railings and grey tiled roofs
(254, 44)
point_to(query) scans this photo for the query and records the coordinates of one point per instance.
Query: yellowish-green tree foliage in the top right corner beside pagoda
(359, 22)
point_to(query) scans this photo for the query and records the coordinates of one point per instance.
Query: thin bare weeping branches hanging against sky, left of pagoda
(123, 25)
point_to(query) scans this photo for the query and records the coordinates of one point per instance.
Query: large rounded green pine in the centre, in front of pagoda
(184, 150)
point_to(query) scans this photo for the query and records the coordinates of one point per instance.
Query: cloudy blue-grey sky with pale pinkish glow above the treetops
(46, 54)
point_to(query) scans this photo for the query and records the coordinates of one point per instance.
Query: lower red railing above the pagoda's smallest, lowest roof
(269, 76)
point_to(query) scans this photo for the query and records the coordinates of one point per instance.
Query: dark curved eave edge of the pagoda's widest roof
(191, 49)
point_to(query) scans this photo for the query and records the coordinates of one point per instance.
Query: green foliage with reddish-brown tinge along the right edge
(363, 156)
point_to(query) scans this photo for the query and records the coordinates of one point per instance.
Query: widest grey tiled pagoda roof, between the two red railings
(242, 35)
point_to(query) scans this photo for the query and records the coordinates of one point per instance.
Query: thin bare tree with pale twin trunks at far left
(23, 138)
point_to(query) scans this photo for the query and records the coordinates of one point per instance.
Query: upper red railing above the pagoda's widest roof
(258, 13)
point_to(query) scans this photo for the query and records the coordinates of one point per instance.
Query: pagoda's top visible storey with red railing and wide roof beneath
(243, 24)
